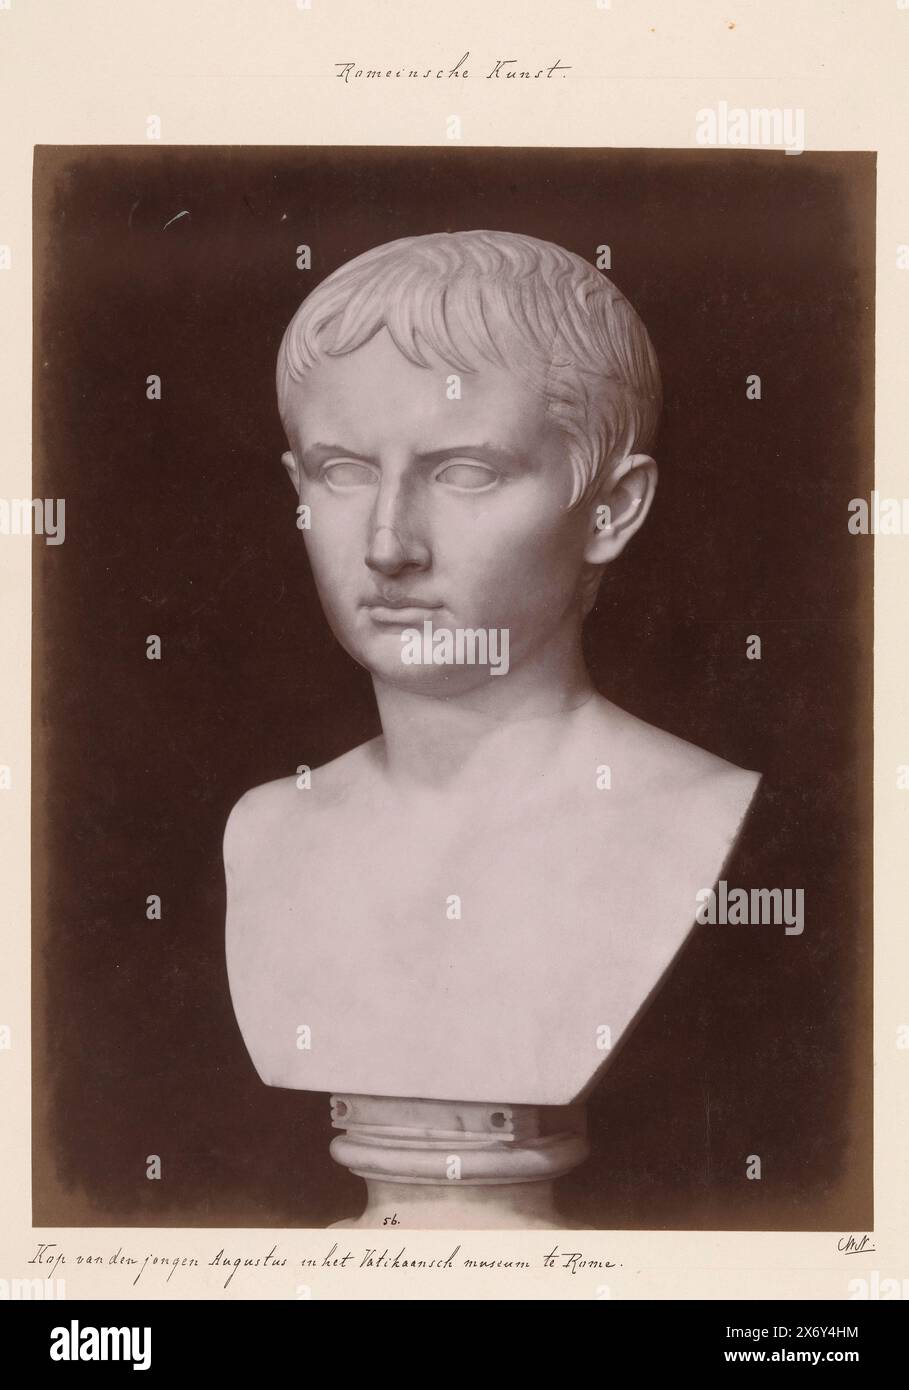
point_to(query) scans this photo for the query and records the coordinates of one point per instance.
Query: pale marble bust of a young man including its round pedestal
(452, 926)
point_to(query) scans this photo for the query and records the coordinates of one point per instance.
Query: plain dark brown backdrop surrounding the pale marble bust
(180, 522)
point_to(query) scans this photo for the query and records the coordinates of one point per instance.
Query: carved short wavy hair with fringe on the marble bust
(458, 293)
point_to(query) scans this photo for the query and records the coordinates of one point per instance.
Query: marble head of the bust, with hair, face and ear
(469, 419)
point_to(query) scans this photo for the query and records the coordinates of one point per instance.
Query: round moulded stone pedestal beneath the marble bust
(457, 1164)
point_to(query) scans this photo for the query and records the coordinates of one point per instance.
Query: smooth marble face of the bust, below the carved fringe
(433, 509)
